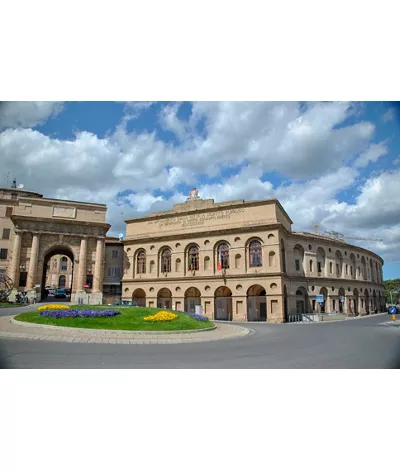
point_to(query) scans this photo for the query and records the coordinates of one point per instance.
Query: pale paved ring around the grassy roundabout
(12, 329)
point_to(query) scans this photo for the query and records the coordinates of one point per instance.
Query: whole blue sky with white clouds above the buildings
(335, 164)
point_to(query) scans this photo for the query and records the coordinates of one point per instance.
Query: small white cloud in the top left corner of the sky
(27, 113)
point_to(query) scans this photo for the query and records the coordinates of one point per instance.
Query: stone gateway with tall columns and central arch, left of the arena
(74, 229)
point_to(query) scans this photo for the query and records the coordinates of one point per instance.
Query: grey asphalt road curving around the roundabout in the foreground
(360, 343)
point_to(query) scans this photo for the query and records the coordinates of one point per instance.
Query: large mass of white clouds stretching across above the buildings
(309, 142)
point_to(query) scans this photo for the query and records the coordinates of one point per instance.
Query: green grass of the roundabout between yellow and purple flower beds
(131, 318)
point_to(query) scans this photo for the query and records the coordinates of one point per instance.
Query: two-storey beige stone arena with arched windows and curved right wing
(241, 261)
